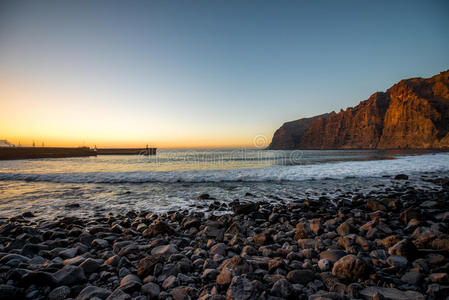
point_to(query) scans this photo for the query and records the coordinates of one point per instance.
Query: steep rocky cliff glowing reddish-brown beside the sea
(413, 113)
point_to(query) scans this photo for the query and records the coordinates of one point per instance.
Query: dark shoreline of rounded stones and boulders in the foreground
(391, 245)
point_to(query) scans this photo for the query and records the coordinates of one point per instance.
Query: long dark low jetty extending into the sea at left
(14, 153)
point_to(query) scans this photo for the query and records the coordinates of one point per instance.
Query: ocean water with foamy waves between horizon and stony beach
(173, 179)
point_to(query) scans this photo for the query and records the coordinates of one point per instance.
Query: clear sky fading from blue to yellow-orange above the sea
(201, 73)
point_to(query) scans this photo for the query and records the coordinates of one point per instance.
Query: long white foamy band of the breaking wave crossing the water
(406, 164)
